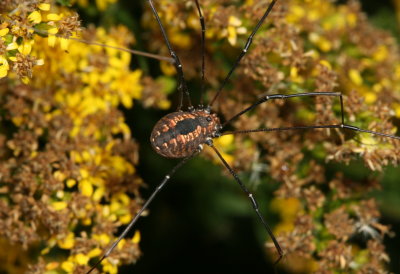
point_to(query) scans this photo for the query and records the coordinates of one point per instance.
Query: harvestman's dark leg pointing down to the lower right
(253, 202)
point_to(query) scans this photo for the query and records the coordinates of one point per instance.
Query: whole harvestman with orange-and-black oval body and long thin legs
(183, 133)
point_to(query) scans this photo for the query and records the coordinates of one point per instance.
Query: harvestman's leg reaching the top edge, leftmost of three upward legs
(178, 66)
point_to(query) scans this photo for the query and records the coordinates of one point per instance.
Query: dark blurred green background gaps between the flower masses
(201, 222)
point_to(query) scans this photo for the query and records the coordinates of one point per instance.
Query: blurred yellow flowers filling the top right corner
(371, 55)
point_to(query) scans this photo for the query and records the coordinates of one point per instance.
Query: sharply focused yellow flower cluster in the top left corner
(17, 31)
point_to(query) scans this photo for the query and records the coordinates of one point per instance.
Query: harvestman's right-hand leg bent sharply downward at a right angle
(282, 96)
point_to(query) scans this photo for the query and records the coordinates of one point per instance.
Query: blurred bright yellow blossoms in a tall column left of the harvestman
(105, 82)
